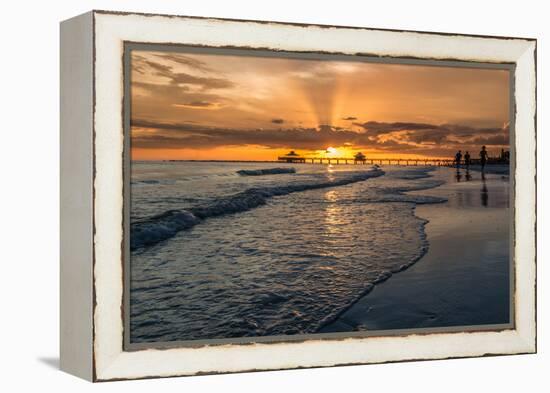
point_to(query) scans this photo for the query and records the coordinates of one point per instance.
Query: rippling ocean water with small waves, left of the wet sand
(226, 250)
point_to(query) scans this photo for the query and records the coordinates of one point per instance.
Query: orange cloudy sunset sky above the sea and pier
(203, 106)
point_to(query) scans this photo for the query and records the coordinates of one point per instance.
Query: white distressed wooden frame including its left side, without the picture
(92, 195)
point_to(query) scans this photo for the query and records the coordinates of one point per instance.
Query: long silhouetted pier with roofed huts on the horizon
(296, 159)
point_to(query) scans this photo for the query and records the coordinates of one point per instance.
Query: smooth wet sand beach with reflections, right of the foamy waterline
(463, 279)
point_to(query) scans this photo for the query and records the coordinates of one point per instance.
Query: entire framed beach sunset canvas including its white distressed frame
(246, 195)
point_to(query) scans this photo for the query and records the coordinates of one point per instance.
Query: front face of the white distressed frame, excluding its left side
(111, 30)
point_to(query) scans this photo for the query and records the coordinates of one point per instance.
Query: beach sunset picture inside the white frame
(279, 195)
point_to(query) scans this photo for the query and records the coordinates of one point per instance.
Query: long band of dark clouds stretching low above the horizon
(420, 138)
